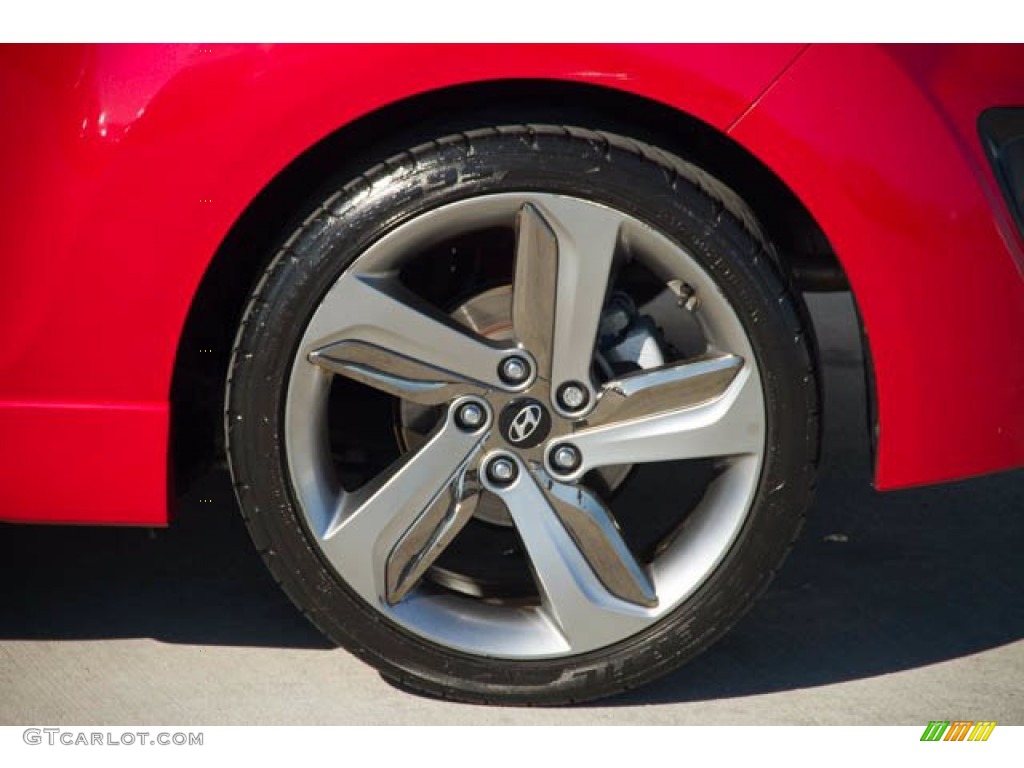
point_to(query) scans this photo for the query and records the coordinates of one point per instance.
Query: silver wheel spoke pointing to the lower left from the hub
(385, 536)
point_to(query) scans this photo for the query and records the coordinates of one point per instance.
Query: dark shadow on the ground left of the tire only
(199, 581)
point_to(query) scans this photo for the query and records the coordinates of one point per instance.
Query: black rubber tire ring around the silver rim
(656, 188)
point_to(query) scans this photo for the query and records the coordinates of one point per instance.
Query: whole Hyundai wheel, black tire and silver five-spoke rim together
(519, 426)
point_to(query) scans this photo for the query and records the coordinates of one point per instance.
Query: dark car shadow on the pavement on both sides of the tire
(878, 583)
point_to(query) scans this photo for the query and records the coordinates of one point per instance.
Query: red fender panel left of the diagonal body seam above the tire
(124, 169)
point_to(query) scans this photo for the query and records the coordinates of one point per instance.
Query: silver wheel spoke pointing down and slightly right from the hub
(575, 598)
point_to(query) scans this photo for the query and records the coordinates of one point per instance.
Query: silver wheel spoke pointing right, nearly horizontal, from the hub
(701, 409)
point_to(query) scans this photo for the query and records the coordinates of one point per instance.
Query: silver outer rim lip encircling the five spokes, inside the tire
(466, 624)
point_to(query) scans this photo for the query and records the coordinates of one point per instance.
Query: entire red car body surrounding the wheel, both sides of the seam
(126, 167)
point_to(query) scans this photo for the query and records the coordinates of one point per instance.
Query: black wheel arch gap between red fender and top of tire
(203, 353)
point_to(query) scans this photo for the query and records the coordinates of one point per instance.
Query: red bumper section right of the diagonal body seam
(889, 163)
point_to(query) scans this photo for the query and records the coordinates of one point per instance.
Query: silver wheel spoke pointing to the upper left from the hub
(373, 330)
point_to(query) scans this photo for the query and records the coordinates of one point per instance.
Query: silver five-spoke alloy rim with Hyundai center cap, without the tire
(508, 428)
